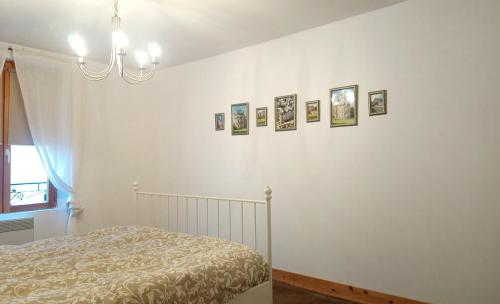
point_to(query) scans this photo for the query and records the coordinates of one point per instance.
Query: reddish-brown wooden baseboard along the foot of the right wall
(338, 290)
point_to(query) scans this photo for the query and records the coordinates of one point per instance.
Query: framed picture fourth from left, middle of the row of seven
(285, 113)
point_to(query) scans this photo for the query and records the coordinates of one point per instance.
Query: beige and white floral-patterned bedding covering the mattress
(128, 265)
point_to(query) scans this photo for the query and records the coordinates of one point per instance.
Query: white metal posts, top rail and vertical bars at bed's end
(161, 199)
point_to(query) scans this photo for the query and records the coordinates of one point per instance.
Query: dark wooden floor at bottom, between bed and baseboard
(286, 294)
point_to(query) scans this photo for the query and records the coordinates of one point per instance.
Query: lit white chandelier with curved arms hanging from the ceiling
(118, 53)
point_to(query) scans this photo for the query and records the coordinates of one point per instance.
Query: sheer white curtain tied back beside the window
(46, 87)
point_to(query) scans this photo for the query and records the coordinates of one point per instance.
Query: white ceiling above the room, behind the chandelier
(186, 30)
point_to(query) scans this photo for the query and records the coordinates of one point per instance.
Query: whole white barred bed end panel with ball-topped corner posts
(235, 219)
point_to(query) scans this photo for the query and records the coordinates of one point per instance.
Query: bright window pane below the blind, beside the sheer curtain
(29, 182)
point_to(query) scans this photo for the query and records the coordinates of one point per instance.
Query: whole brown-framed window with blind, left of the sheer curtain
(24, 182)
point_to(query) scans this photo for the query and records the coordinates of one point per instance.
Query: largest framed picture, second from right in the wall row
(344, 106)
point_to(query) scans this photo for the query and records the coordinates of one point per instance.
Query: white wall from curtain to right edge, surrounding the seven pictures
(406, 203)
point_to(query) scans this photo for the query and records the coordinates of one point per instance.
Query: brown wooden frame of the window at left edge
(6, 207)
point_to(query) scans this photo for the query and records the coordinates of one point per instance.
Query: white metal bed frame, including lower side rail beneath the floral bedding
(184, 211)
